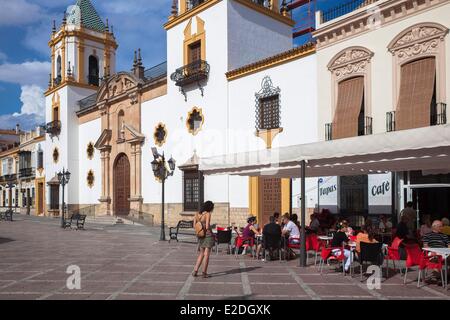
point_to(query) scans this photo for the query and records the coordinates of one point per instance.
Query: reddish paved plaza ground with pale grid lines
(128, 262)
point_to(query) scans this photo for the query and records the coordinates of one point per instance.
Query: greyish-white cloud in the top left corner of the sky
(19, 12)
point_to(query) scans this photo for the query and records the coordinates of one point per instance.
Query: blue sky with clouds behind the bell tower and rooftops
(25, 27)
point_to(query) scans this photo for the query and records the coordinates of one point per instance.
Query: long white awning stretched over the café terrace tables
(425, 148)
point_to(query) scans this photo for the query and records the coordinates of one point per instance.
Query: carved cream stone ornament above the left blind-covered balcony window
(352, 60)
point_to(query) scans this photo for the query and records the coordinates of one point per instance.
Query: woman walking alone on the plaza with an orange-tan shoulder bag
(207, 242)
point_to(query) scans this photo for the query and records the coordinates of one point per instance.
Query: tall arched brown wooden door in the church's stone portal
(121, 185)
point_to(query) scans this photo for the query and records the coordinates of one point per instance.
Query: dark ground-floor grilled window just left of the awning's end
(192, 190)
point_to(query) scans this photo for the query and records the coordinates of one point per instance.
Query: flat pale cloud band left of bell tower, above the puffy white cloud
(26, 73)
